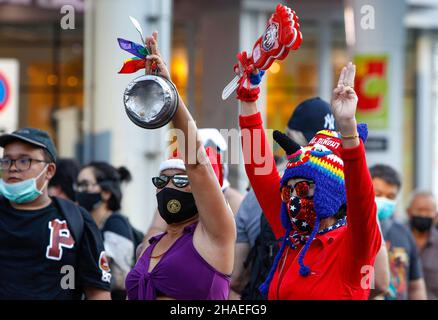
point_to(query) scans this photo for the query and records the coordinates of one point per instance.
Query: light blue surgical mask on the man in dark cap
(22, 192)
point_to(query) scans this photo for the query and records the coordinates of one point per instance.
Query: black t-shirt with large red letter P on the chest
(39, 257)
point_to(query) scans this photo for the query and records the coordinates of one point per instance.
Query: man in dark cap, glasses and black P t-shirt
(41, 257)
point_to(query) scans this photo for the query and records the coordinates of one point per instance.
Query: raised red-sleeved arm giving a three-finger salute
(363, 237)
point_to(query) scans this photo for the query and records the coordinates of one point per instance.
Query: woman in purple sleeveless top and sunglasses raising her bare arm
(193, 259)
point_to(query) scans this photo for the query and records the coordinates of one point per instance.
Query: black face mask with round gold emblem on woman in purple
(176, 206)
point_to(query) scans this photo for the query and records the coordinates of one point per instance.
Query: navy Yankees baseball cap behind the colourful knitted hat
(311, 116)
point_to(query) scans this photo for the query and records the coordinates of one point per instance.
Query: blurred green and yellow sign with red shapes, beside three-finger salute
(371, 85)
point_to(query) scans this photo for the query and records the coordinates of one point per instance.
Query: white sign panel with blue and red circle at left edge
(9, 86)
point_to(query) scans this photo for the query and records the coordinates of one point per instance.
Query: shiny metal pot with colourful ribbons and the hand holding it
(150, 100)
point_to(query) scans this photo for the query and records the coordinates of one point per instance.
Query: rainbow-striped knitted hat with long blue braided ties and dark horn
(320, 162)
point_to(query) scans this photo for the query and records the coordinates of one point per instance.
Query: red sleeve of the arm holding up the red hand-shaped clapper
(261, 170)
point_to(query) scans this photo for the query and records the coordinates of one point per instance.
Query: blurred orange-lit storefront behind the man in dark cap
(50, 61)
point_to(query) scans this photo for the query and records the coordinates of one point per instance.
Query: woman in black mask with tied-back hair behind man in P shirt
(99, 191)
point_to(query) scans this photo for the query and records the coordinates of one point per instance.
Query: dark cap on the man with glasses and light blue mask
(32, 136)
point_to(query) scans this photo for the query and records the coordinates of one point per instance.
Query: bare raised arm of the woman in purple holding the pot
(215, 216)
